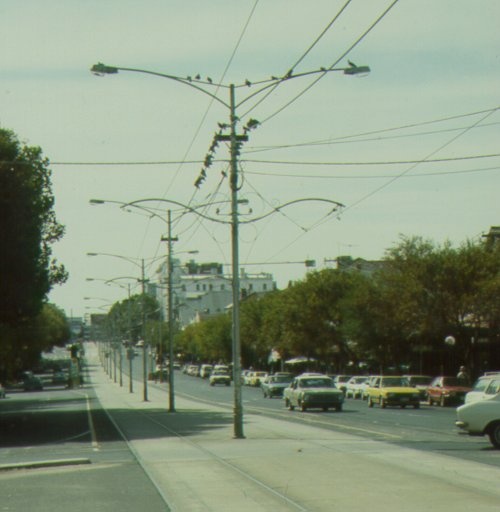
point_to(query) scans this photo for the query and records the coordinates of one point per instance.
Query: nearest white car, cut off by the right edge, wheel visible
(481, 418)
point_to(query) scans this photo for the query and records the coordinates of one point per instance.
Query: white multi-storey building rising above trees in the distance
(203, 290)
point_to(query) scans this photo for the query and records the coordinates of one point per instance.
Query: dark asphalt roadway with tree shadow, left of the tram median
(69, 460)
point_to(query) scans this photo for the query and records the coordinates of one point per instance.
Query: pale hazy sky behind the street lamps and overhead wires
(410, 149)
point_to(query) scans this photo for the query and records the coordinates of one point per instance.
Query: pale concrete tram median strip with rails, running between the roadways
(196, 464)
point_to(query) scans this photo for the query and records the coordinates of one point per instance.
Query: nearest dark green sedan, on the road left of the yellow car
(313, 391)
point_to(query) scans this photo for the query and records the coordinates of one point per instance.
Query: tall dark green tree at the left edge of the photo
(28, 228)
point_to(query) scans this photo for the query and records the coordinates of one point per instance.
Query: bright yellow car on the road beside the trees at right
(392, 391)
